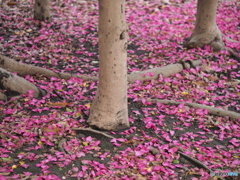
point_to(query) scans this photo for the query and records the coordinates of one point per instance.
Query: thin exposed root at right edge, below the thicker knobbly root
(211, 110)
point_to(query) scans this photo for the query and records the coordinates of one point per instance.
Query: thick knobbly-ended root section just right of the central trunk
(165, 71)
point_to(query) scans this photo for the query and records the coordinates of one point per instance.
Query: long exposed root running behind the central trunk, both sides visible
(26, 69)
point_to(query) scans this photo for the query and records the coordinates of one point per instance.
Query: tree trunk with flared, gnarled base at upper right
(206, 31)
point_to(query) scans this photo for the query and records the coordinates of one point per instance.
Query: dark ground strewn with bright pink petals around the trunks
(37, 136)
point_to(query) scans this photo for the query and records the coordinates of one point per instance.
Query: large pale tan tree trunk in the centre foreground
(109, 108)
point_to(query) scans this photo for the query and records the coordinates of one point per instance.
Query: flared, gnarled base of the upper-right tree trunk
(212, 37)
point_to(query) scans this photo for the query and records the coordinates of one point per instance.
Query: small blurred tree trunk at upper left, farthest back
(41, 10)
